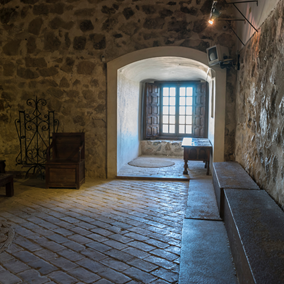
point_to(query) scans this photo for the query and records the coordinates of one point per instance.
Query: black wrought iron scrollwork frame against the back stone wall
(34, 131)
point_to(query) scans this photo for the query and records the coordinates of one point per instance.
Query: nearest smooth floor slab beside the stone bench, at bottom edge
(205, 254)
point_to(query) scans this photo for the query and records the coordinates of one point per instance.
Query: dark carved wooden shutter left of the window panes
(151, 110)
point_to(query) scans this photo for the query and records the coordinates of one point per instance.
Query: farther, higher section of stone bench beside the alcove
(229, 175)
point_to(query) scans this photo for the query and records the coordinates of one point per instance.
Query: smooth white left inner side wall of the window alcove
(128, 92)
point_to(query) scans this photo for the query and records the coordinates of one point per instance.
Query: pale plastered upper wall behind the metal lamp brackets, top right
(255, 14)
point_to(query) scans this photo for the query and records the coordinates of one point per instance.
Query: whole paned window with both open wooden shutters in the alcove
(175, 109)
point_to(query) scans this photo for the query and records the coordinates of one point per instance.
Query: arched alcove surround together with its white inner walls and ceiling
(135, 64)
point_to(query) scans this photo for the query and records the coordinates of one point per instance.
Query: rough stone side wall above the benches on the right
(260, 106)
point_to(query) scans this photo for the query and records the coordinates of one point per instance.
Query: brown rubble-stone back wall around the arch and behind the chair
(57, 50)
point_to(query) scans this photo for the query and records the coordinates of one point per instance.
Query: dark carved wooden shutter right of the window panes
(200, 110)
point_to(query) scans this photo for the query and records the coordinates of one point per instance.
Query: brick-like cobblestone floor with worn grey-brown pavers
(107, 232)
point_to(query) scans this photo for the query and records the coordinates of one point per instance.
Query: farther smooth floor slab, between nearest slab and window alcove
(201, 201)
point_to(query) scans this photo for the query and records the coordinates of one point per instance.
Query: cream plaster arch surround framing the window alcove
(216, 132)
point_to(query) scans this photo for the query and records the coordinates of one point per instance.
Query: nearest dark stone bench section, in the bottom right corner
(255, 227)
